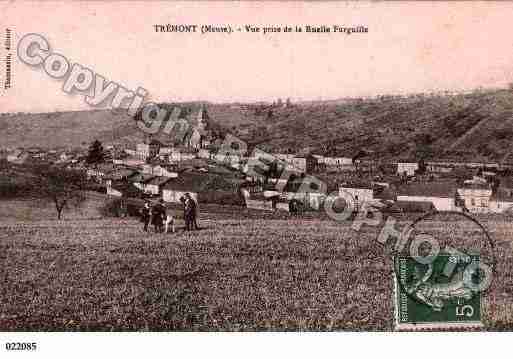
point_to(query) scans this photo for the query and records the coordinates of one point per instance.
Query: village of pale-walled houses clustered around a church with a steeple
(155, 169)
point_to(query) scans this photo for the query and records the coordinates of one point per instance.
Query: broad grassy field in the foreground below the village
(237, 273)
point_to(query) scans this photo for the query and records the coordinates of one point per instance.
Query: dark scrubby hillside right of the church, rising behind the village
(467, 126)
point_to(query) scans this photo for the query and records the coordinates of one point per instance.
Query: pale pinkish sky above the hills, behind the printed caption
(409, 48)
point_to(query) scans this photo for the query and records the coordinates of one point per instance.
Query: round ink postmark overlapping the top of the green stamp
(444, 259)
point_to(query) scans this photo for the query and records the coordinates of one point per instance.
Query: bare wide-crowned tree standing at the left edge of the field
(62, 186)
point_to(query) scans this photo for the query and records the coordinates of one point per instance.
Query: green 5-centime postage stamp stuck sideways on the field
(442, 294)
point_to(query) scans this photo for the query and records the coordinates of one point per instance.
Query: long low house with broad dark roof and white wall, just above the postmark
(441, 195)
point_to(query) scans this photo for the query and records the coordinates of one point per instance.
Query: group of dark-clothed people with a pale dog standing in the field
(157, 216)
